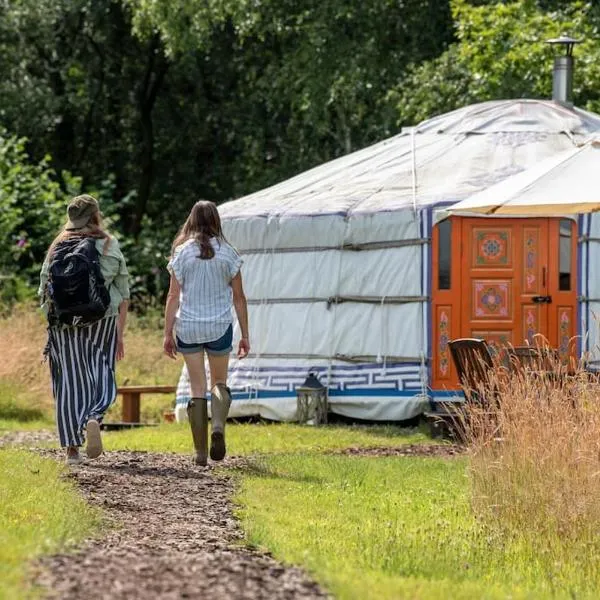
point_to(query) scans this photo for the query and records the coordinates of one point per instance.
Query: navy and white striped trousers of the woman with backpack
(82, 367)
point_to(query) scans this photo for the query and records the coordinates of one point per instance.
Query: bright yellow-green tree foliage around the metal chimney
(501, 52)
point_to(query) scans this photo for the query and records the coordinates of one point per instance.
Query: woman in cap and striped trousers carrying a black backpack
(85, 294)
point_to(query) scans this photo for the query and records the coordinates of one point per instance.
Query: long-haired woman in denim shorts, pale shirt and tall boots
(206, 283)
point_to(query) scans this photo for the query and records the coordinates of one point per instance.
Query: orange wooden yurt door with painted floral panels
(509, 281)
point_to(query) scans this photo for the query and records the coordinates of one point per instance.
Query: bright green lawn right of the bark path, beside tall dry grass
(397, 528)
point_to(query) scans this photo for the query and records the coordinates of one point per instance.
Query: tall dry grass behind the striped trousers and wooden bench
(25, 378)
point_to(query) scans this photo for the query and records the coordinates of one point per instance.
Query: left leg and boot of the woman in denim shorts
(197, 407)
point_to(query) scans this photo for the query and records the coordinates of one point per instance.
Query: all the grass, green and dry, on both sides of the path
(514, 517)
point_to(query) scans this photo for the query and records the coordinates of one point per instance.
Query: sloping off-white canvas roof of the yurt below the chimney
(442, 160)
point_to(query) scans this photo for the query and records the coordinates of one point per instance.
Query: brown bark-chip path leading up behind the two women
(175, 537)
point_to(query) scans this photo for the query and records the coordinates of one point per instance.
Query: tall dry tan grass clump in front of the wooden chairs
(534, 435)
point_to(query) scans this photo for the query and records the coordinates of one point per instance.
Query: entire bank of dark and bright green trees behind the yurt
(154, 105)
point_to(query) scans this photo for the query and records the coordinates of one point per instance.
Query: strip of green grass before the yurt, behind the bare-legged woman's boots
(246, 439)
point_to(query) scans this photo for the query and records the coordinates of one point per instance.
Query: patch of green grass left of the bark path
(39, 514)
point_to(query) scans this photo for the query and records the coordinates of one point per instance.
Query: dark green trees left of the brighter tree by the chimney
(174, 101)
